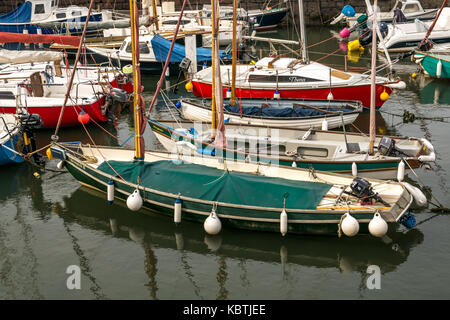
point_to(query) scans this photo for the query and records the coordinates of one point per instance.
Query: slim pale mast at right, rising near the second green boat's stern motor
(373, 78)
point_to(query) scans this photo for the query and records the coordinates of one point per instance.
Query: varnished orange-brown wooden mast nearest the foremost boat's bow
(139, 125)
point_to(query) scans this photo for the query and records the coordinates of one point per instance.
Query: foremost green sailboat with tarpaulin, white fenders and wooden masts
(243, 195)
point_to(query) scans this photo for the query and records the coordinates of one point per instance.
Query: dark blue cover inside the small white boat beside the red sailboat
(279, 112)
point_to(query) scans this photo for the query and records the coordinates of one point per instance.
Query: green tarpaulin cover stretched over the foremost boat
(202, 182)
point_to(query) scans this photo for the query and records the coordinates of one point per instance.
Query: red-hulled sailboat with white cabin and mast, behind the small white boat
(284, 77)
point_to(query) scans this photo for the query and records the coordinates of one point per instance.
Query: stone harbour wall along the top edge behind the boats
(317, 12)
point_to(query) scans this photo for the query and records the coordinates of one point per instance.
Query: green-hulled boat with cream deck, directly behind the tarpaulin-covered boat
(320, 150)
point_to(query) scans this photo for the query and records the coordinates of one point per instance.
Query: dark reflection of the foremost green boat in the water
(87, 208)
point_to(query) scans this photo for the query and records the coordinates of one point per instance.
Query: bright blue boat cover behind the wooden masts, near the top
(161, 48)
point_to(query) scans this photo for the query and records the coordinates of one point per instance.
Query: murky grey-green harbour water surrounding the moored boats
(50, 223)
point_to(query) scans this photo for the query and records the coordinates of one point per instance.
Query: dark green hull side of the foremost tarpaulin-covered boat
(323, 222)
